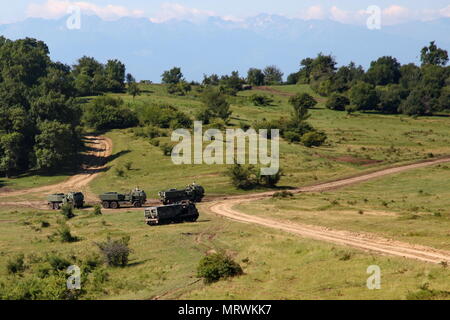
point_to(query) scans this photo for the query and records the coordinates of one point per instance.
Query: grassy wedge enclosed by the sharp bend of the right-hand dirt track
(412, 207)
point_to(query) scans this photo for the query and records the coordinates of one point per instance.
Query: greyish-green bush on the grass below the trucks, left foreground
(115, 252)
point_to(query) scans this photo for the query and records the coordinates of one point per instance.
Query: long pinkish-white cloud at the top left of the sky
(53, 9)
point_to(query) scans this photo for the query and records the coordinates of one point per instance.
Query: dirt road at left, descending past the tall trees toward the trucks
(99, 149)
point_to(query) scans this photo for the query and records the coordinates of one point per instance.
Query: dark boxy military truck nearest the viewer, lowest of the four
(174, 213)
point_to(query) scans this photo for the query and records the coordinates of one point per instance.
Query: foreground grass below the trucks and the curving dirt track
(164, 260)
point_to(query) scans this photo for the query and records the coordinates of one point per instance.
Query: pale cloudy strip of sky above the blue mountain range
(346, 11)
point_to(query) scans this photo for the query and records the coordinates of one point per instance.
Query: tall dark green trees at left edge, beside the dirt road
(40, 113)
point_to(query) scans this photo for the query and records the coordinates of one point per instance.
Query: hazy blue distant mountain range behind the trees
(219, 46)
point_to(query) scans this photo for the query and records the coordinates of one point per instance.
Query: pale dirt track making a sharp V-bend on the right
(368, 242)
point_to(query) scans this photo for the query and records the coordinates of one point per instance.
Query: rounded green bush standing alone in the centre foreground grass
(217, 266)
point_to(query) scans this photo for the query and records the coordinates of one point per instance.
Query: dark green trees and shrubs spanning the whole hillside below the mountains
(42, 112)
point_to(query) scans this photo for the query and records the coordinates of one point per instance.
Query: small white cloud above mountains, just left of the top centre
(176, 11)
